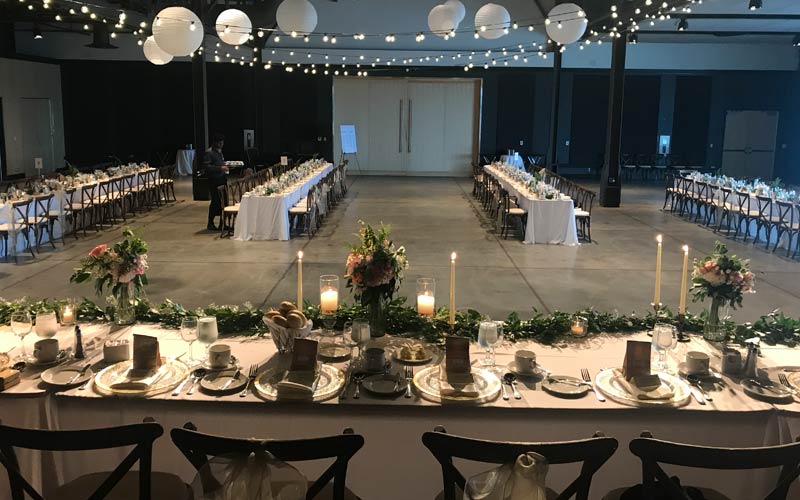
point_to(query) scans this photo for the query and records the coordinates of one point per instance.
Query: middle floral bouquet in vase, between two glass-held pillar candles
(374, 271)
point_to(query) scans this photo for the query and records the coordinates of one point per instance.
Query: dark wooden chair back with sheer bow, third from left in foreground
(592, 453)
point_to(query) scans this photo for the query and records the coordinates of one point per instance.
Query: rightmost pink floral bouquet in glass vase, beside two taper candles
(723, 277)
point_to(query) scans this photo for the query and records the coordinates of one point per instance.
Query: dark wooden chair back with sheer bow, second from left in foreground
(198, 447)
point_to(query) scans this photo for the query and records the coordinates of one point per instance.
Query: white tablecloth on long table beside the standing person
(267, 217)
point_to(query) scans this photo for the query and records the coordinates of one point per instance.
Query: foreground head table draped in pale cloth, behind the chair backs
(393, 463)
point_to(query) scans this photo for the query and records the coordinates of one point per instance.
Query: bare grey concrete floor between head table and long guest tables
(431, 217)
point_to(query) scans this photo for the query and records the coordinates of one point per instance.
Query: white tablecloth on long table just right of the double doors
(550, 222)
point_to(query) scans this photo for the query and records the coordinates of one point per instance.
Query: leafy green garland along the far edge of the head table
(774, 328)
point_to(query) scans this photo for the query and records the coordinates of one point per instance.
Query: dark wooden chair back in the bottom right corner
(653, 452)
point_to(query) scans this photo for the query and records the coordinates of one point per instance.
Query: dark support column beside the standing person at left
(200, 110)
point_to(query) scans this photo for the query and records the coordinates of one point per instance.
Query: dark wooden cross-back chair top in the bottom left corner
(140, 436)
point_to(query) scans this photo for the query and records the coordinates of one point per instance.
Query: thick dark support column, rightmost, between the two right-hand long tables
(610, 186)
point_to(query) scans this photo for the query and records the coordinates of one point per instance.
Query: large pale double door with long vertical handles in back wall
(409, 126)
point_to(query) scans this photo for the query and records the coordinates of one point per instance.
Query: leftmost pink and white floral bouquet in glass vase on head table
(120, 268)
